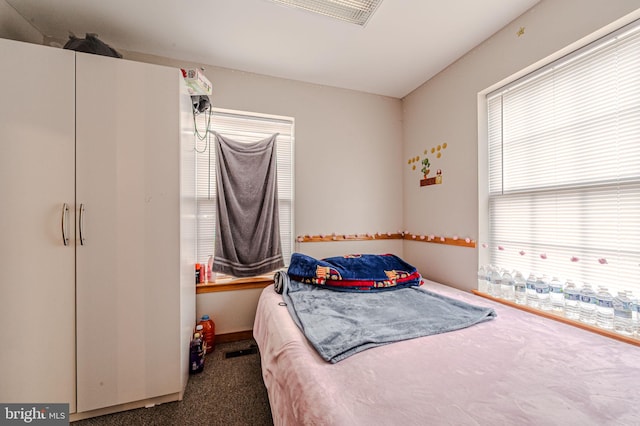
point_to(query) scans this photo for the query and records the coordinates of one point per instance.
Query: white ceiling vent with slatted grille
(353, 11)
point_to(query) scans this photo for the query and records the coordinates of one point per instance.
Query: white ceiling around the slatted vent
(405, 43)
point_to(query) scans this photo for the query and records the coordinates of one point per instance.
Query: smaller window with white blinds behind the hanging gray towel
(242, 127)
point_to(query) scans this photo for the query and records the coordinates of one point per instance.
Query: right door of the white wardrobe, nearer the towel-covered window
(128, 278)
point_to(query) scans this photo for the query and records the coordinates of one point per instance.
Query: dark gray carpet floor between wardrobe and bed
(229, 392)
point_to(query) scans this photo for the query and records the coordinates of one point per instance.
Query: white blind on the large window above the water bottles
(564, 167)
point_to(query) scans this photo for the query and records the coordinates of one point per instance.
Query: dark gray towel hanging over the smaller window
(247, 221)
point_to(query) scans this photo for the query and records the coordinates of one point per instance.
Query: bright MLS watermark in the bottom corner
(36, 414)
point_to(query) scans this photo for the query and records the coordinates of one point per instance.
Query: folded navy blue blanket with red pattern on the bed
(355, 272)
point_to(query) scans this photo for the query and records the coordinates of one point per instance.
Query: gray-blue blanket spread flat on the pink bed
(340, 324)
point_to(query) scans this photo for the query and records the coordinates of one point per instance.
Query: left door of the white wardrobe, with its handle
(37, 274)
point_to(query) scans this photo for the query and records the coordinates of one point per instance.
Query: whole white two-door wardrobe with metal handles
(97, 207)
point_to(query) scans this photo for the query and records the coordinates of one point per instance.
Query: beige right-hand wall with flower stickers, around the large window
(445, 109)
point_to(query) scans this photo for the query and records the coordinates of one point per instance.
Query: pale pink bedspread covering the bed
(519, 369)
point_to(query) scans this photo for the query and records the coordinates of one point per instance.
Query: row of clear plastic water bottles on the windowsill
(592, 306)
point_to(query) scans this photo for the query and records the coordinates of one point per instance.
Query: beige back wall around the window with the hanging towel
(348, 152)
